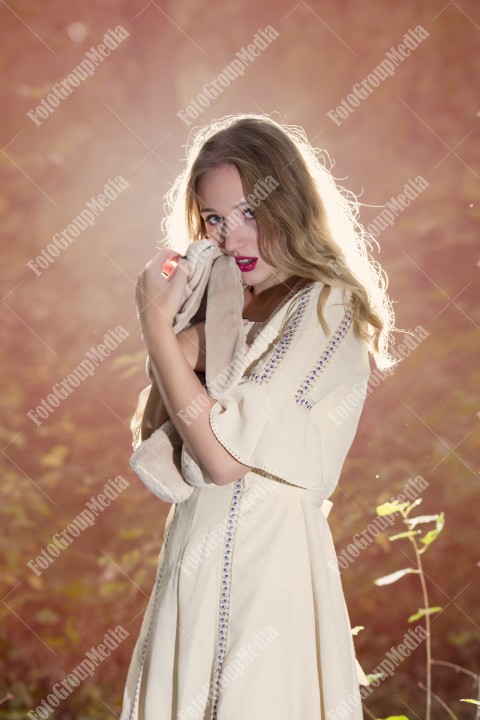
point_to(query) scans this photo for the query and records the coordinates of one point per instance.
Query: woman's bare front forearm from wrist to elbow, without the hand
(181, 389)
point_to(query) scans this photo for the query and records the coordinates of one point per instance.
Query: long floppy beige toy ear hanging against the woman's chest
(224, 332)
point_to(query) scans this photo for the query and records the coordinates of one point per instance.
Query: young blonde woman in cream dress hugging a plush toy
(247, 620)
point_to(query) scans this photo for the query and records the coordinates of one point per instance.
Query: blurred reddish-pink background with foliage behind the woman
(423, 120)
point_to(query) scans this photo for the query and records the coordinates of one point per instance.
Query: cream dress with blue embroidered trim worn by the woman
(247, 619)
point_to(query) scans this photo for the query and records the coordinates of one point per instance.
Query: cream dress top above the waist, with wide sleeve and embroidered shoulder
(294, 413)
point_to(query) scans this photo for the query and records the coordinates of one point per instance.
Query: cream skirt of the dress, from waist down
(247, 618)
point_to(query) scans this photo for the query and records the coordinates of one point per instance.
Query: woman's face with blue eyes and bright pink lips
(230, 222)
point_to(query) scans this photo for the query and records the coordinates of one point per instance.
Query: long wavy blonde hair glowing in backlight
(307, 227)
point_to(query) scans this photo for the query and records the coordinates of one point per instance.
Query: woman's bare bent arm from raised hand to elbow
(158, 301)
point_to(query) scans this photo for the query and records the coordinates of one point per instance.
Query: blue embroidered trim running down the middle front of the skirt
(225, 593)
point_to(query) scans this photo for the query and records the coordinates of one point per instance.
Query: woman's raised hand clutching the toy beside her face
(158, 299)
